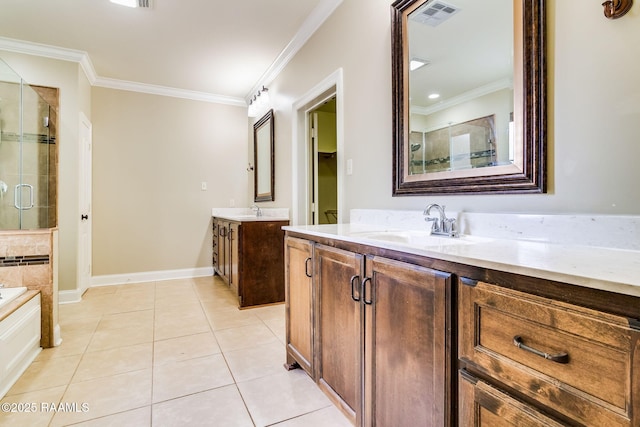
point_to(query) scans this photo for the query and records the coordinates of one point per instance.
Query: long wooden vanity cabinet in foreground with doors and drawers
(396, 338)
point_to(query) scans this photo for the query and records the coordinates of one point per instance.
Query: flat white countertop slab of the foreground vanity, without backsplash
(598, 267)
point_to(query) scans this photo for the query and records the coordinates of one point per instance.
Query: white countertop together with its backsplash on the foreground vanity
(595, 251)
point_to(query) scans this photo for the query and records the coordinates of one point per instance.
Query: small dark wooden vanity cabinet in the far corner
(249, 257)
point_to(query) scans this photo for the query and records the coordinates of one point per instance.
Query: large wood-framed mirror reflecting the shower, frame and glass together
(469, 96)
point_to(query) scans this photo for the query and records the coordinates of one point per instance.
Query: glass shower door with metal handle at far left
(26, 152)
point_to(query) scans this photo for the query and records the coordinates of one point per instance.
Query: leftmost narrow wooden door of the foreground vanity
(299, 303)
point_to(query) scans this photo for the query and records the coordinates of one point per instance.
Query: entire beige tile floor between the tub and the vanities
(168, 353)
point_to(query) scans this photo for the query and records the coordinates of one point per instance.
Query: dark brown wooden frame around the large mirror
(530, 106)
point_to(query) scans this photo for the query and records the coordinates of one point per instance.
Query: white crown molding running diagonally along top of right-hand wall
(319, 15)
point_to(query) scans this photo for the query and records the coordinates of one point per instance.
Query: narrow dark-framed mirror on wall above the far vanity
(263, 158)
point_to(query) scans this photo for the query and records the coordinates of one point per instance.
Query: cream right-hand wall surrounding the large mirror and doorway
(593, 102)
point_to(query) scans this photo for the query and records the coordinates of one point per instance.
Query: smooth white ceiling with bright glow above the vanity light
(222, 48)
